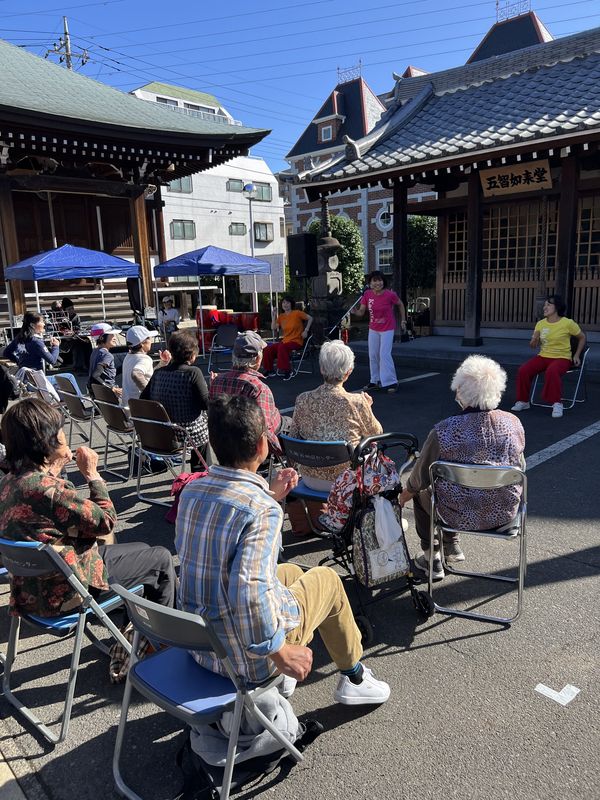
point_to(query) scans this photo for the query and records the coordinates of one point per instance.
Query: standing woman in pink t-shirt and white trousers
(381, 304)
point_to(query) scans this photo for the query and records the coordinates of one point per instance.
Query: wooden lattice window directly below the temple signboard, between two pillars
(513, 236)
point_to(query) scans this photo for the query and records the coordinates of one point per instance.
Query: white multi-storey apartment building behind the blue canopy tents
(211, 207)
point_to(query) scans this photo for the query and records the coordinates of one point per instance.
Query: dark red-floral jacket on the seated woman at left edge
(36, 506)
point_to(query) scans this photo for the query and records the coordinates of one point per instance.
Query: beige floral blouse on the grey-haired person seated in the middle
(329, 413)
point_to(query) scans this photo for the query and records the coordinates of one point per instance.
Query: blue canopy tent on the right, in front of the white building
(211, 261)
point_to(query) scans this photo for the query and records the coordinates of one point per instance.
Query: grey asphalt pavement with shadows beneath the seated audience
(464, 719)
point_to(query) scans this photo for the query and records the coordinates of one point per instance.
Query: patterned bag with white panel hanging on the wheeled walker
(374, 564)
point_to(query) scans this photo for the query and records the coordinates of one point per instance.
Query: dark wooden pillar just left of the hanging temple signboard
(472, 333)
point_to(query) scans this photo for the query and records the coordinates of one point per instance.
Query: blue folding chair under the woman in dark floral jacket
(36, 559)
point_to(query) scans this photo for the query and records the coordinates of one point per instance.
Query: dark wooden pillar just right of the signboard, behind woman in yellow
(567, 229)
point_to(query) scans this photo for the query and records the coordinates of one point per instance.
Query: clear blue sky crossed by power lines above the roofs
(271, 63)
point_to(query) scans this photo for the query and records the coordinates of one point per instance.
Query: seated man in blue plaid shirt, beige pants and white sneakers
(228, 537)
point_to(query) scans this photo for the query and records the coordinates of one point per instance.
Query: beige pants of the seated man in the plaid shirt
(324, 606)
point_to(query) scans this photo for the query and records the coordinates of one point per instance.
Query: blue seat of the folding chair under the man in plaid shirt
(174, 677)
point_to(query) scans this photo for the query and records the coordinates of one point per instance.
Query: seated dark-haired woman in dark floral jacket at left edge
(37, 505)
